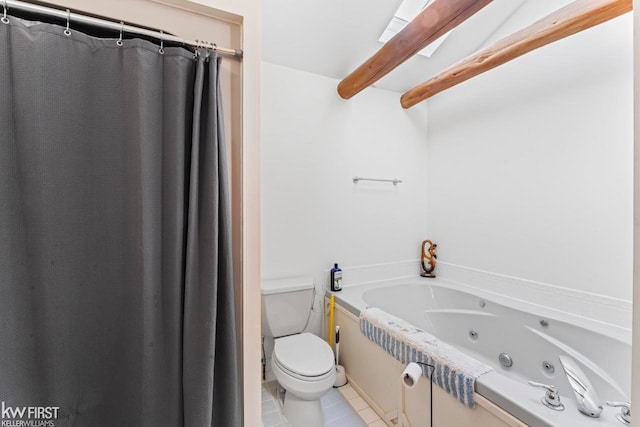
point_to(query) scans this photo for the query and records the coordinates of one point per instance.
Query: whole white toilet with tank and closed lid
(302, 363)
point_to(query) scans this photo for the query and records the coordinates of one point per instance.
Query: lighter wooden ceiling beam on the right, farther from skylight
(573, 18)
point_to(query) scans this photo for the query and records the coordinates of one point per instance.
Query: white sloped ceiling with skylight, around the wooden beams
(333, 37)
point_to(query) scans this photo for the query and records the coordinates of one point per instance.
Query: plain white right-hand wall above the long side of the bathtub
(531, 165)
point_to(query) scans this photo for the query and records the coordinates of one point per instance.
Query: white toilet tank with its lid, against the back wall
(286, 304)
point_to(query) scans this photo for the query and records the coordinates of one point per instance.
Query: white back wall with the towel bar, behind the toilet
(313, 144)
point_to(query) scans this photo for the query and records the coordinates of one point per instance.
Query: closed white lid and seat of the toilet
(304, 354)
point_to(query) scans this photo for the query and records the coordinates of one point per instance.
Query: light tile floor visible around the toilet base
(342, 407)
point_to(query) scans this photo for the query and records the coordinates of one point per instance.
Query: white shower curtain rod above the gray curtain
(116, 26)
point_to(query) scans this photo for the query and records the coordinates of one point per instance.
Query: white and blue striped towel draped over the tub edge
(455, 372)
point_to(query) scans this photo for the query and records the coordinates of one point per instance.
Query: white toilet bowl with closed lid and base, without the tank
(303, 365)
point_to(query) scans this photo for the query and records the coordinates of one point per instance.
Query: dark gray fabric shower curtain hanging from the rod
(116, 288)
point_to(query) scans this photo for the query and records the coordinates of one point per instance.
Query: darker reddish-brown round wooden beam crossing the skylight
(440, 17)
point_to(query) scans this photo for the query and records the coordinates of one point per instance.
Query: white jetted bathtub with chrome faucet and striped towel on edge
(495, 329)
